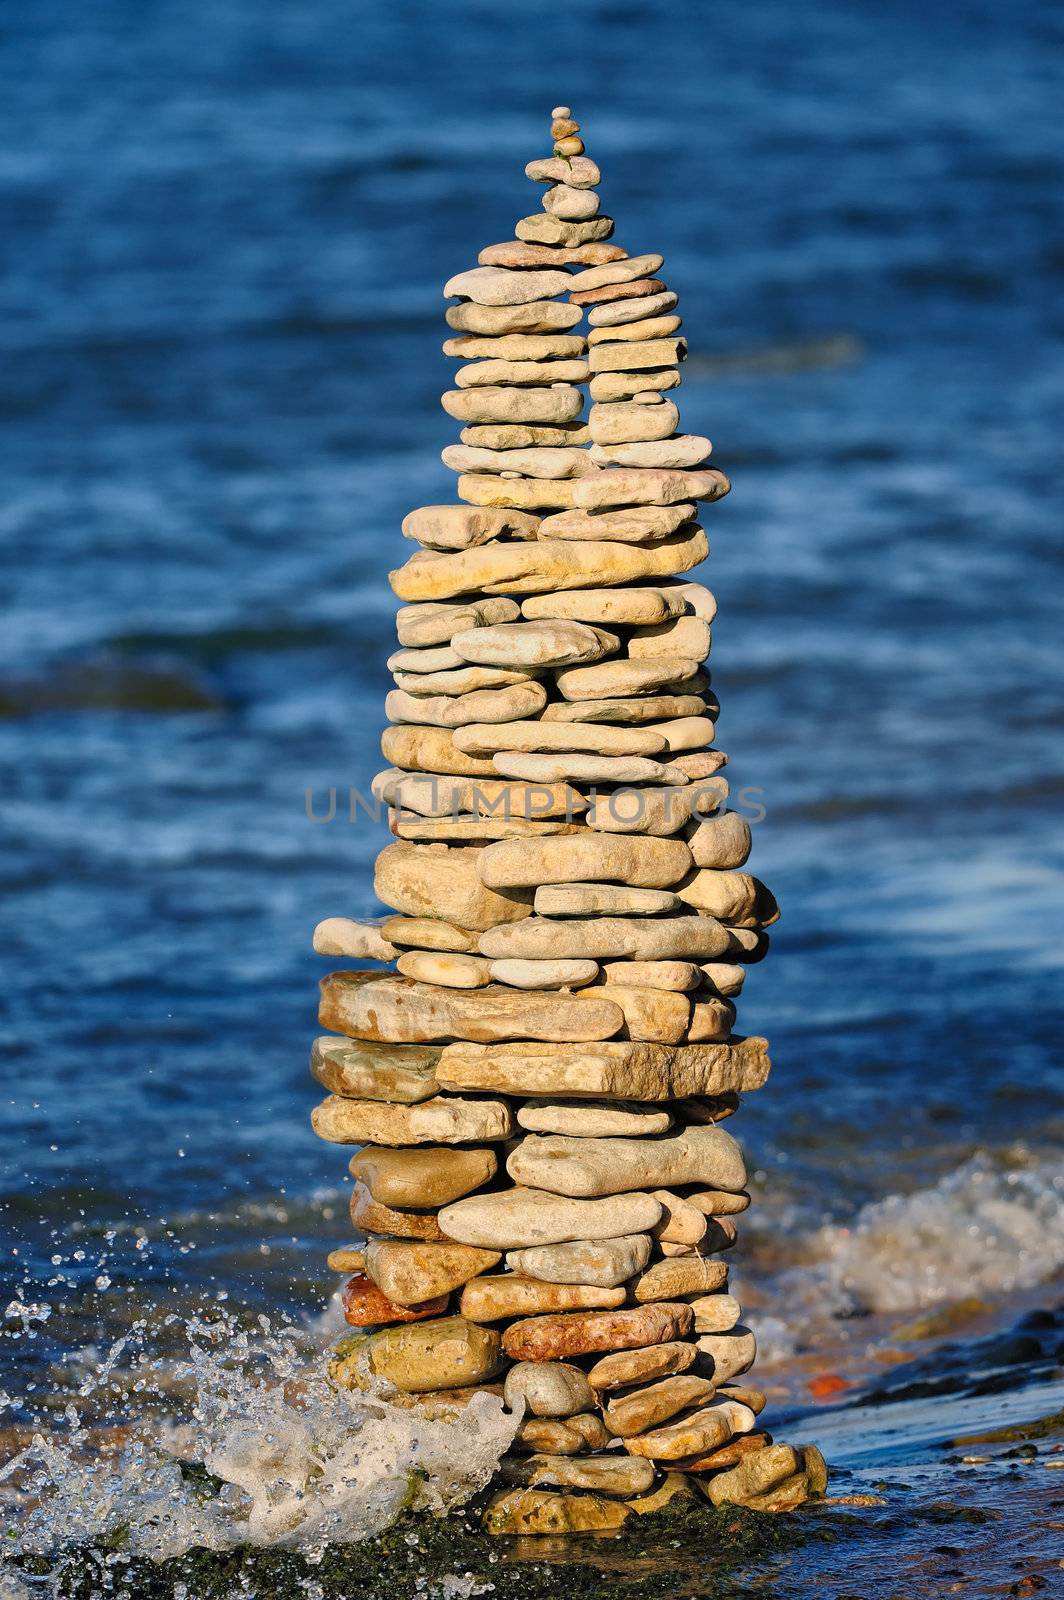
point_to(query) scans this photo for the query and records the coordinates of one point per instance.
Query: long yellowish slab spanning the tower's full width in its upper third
(548, 564)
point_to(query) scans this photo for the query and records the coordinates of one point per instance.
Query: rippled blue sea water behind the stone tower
(228, 226)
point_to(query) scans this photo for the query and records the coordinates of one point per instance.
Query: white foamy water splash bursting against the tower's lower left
(268, 1454)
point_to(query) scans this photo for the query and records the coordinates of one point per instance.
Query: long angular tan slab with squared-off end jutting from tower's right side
(617, 1070)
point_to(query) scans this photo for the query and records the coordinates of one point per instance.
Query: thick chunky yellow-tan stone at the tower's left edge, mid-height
(446, 884)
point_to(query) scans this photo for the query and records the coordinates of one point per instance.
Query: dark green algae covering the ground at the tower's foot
(682, 1551)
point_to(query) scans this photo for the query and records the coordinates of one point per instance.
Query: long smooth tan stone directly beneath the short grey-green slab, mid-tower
(602, 938)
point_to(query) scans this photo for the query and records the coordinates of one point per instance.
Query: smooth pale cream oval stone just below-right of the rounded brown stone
(518, 1218)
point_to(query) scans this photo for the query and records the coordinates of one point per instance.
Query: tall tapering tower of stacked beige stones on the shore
(543, 1183)
